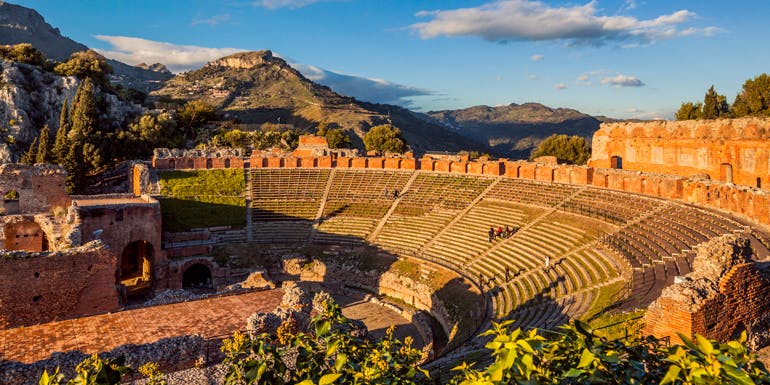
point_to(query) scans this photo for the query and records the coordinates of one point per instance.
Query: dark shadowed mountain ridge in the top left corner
(24, 25)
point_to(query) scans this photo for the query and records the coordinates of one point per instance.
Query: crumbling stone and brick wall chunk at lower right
(719, 299)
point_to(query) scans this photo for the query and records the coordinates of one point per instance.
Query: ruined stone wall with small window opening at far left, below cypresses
(40, 187)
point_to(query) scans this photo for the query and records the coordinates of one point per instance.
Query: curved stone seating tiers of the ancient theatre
(592, 236)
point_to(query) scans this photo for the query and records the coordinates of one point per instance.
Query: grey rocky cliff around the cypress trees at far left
(31, 98)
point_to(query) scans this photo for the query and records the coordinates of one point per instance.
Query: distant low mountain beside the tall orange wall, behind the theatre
(516, 129)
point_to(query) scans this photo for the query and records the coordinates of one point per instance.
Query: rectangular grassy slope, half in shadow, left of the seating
(202, 198)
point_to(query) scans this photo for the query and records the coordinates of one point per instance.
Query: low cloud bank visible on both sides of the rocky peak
(179, 58)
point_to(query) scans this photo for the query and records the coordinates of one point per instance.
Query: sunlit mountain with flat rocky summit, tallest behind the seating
(257, 87)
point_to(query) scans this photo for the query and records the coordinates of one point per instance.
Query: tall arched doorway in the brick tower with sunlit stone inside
(136, 268)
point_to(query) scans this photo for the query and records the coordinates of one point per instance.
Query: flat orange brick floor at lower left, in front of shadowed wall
(208, 317)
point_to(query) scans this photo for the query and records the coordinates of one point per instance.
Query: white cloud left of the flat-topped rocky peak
(177, 58)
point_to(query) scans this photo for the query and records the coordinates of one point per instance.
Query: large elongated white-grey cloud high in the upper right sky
(527, 20)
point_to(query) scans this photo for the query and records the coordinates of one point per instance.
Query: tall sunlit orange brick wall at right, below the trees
(728, 150)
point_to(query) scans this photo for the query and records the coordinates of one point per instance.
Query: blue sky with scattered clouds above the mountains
(620, 58)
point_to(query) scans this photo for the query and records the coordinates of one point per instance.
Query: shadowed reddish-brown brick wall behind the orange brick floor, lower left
(44, 287)
